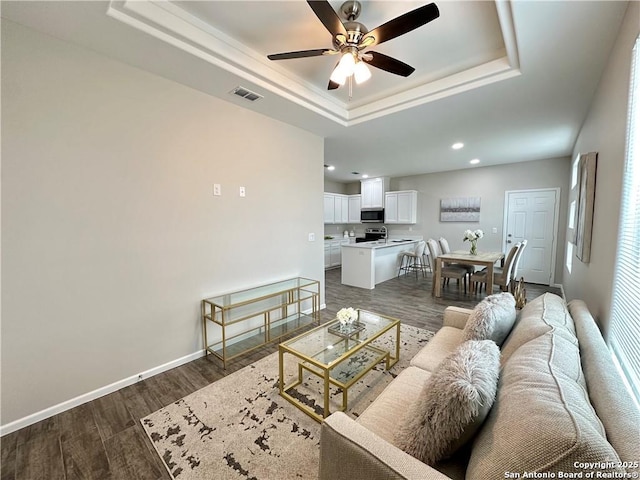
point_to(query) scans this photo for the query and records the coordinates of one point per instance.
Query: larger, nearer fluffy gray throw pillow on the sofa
(454, 403)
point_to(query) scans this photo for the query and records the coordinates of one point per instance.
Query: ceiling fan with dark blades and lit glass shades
(351, 38)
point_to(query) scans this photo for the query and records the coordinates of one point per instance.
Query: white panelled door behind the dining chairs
(533, 215)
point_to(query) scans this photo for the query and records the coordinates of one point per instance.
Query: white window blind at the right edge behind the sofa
(624, 336)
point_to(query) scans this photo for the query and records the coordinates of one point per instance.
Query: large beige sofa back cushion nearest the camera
(542, 420)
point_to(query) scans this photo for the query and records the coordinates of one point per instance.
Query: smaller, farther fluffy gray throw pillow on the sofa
(491, 319)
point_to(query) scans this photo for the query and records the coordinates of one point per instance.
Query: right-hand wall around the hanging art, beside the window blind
(604, 131)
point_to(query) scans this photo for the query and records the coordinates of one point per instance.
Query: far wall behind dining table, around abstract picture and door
(489, 183)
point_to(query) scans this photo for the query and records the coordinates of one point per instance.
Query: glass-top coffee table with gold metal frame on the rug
(338, 356)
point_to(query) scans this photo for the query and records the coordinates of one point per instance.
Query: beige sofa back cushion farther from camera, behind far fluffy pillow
(537, 318)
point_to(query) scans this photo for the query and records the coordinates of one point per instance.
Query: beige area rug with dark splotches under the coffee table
(241, 428)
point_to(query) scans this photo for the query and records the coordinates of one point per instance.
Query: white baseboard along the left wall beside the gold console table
(100, 392)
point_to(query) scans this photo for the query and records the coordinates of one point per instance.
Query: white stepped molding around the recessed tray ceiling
(168, 22)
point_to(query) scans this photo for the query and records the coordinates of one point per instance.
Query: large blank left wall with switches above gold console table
(111, 235)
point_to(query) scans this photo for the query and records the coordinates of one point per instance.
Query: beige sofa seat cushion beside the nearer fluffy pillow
(385, 413)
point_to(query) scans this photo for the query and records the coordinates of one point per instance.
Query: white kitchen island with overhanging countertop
(367, 264)
